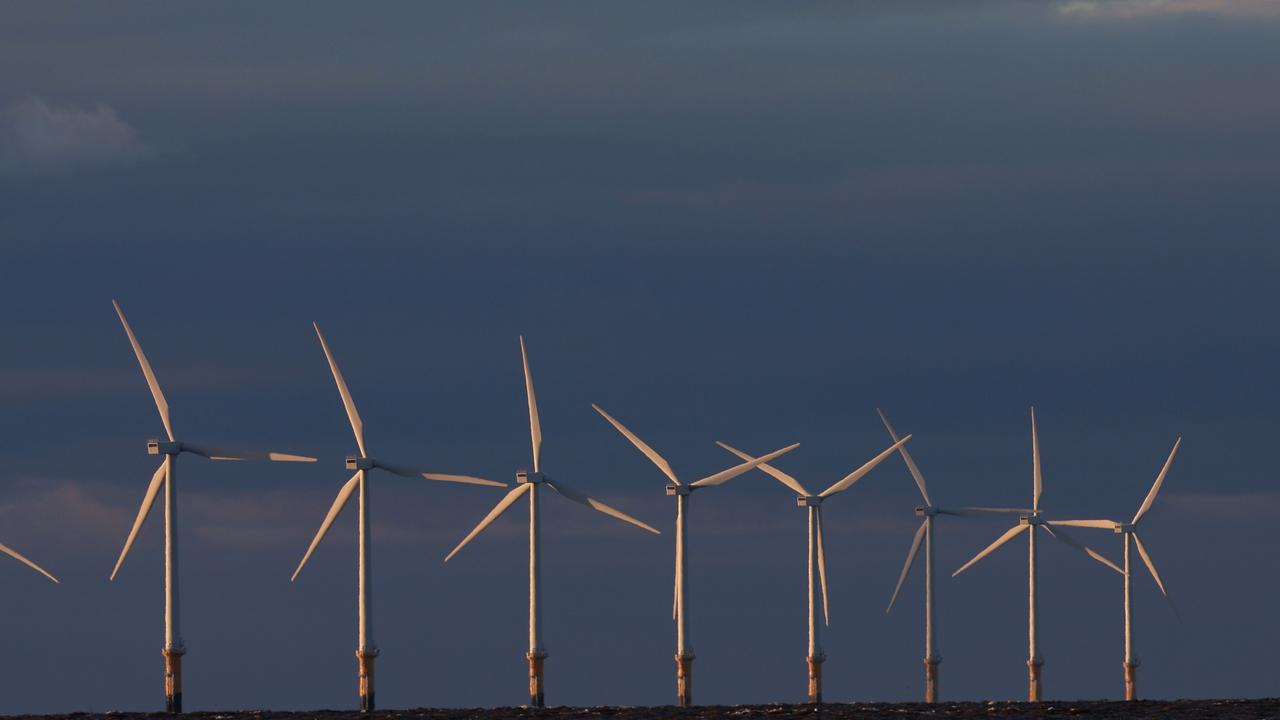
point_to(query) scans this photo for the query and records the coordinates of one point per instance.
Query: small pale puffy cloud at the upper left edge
(38, 139)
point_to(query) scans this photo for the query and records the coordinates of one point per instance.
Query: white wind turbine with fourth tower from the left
(683, 493)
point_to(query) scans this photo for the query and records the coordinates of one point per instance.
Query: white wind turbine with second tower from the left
(363, 464)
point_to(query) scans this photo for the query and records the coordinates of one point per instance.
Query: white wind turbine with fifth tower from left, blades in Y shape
(817, 553)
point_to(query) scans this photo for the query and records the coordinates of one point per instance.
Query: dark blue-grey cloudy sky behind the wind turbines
(743, 222)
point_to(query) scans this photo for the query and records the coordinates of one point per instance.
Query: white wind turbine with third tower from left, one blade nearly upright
(531, 484)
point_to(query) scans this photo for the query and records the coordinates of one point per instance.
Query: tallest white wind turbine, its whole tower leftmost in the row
(167, 476)
